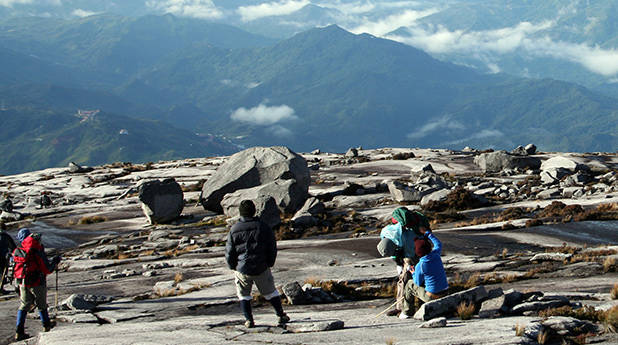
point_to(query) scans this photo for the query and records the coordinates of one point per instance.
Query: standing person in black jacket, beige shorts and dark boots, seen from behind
(251, 251)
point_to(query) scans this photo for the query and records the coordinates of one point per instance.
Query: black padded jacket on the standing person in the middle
(251, 247)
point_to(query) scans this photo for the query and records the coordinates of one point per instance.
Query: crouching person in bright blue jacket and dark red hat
(428, 276)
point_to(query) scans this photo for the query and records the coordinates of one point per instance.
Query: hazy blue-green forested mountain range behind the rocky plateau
(324, 87)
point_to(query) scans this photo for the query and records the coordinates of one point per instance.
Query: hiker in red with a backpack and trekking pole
(30, 271)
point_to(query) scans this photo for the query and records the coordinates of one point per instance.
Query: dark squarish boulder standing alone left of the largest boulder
(162, 201)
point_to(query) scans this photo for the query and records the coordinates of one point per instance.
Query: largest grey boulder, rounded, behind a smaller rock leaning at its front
(254, 167)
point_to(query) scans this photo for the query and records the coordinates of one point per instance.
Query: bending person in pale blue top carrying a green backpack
(399, 240)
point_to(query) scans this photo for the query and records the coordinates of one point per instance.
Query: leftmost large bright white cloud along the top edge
(204, 9)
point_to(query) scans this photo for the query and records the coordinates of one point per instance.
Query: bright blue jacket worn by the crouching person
(429, 271)
